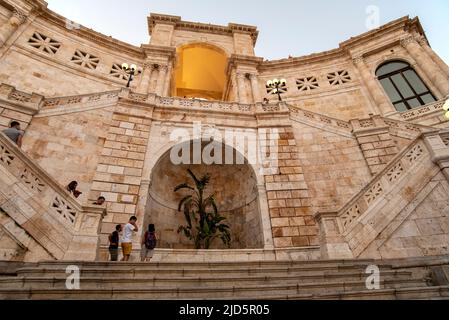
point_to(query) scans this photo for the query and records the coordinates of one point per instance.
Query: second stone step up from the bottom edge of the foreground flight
(201, 281)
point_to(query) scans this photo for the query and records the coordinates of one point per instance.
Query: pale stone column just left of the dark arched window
(380, 98)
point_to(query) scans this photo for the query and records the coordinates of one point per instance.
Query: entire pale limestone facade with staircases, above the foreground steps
(352, 177)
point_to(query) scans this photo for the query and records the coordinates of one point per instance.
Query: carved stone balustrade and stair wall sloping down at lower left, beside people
(56, 220)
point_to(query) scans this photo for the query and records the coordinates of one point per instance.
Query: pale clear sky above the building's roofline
(288, 27)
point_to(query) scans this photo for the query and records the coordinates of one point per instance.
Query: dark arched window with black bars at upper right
(404, 86)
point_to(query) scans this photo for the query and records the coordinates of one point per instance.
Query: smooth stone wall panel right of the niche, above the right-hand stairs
(334, 166)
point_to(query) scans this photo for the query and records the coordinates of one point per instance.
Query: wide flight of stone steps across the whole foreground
(268, 280)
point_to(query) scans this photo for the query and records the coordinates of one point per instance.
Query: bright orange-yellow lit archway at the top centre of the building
(200, 72)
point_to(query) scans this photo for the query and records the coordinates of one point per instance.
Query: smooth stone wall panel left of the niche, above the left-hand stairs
(68, 146)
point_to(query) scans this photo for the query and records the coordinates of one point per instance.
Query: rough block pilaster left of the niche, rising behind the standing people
(119, 172)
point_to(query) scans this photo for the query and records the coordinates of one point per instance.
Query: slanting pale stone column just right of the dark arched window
(431, 69)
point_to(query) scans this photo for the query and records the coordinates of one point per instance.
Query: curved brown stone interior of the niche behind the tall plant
(236, 192)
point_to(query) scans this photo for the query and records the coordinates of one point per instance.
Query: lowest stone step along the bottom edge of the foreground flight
(304, 291)
